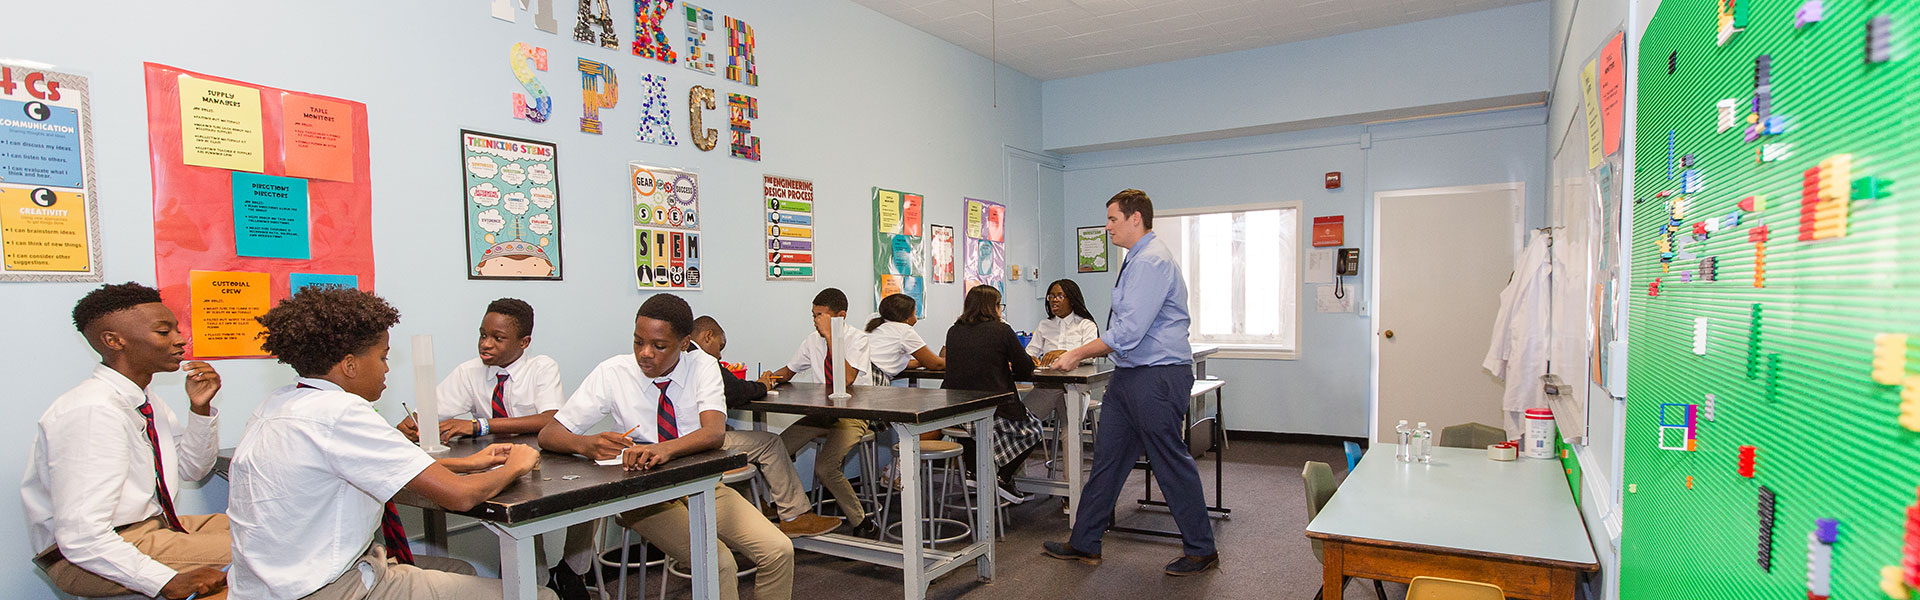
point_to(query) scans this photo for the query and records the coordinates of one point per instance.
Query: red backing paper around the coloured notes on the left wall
(195, 207)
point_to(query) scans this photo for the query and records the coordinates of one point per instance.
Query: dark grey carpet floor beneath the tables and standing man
(1262, 547)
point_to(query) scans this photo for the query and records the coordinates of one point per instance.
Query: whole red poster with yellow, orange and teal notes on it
(252, 182)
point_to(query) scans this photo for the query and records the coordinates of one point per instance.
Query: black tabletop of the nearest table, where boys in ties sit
(554, 487)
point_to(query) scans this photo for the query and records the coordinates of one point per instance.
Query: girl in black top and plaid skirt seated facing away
(986, 355)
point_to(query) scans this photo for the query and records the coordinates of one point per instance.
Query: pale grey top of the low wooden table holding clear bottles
(1462, 501)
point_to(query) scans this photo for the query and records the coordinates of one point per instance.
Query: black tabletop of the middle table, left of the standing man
(876, 403)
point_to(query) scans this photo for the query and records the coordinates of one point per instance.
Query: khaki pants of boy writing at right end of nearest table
(742, 530)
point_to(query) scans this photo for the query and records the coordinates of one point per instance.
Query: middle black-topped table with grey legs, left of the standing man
(911, 412)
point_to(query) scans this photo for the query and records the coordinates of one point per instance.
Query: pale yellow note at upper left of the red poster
(220, 126)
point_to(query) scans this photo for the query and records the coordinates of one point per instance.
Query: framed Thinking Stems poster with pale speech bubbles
(514, 207)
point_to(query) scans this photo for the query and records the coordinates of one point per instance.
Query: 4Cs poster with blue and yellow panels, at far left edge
(49, 214)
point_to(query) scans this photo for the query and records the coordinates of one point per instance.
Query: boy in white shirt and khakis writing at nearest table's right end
(673, 405)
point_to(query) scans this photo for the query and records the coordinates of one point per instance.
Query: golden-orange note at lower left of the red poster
(226, 305)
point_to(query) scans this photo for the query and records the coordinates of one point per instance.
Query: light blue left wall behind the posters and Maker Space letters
(850, 99)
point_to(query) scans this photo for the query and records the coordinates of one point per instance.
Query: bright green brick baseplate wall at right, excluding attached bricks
(1829, 439)
